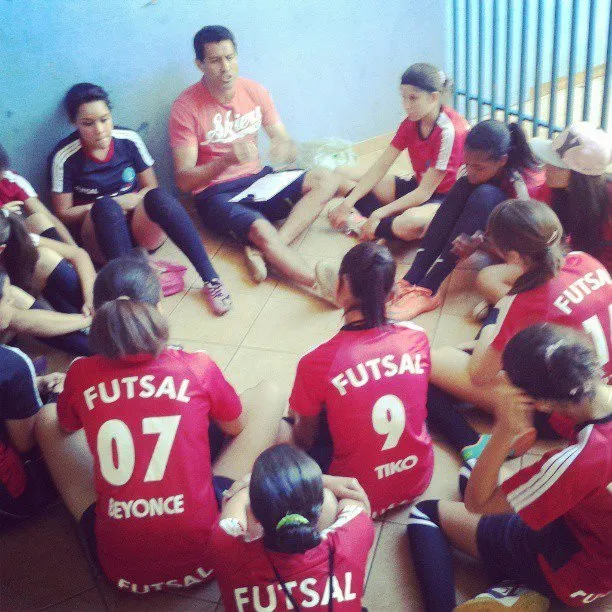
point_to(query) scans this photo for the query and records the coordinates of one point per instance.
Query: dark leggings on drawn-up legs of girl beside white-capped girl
(464, 210)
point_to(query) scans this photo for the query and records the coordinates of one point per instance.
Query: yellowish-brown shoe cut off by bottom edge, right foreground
(506, 596)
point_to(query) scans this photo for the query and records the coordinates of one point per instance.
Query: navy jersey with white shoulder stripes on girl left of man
(72, 170)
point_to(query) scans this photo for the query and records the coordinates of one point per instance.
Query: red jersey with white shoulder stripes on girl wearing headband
(442, 149)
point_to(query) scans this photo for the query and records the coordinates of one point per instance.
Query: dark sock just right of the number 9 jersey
(444, 417)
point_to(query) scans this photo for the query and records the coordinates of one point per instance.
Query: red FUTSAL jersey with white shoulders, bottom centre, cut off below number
(245, 569)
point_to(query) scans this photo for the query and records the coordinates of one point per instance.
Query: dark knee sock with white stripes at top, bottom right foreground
(431, 557)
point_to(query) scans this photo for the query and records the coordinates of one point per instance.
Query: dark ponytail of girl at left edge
(20, 255)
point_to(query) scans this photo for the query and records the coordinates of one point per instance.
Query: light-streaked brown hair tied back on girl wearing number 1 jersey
(534, 231)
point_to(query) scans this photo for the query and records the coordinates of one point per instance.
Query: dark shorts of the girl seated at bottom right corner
(507, 549)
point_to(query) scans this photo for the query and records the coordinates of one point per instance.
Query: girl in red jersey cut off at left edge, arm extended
(18, 196)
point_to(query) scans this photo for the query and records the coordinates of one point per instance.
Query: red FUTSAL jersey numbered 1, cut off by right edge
(580, 296)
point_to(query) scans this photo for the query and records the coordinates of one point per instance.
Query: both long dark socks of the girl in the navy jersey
(114, 238)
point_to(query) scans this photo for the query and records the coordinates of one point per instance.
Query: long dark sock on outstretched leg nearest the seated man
(170, 215)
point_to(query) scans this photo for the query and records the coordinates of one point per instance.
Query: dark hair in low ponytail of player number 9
(370, 271)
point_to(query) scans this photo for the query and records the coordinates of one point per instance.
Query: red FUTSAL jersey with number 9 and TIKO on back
(373, 384)
